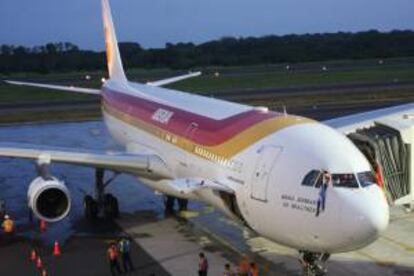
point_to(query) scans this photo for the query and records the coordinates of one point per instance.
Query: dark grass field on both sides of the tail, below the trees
(230, 78)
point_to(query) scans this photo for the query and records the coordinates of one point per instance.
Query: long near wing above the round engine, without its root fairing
(144, 165)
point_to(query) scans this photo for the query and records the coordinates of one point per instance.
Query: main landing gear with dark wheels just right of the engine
(106, 203)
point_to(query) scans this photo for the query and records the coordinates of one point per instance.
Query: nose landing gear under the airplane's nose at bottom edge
(314, 264)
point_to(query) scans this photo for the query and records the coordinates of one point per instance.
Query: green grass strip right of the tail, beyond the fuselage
(280, 79)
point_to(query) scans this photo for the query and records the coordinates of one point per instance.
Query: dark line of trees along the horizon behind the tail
(60, 57)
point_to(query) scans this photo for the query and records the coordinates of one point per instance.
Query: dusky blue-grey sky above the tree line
(152, 23)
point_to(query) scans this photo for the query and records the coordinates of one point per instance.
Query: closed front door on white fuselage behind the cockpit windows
(268, 156)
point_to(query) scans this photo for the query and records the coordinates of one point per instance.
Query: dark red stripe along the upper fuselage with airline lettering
(210, 132)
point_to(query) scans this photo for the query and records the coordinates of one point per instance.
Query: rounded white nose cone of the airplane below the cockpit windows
(367, 216)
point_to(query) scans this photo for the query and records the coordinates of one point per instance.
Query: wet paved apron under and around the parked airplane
(204, 229)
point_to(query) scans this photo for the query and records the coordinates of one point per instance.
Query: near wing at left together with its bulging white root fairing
(149, 166)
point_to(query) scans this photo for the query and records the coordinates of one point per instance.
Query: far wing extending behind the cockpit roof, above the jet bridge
(351, 123)
